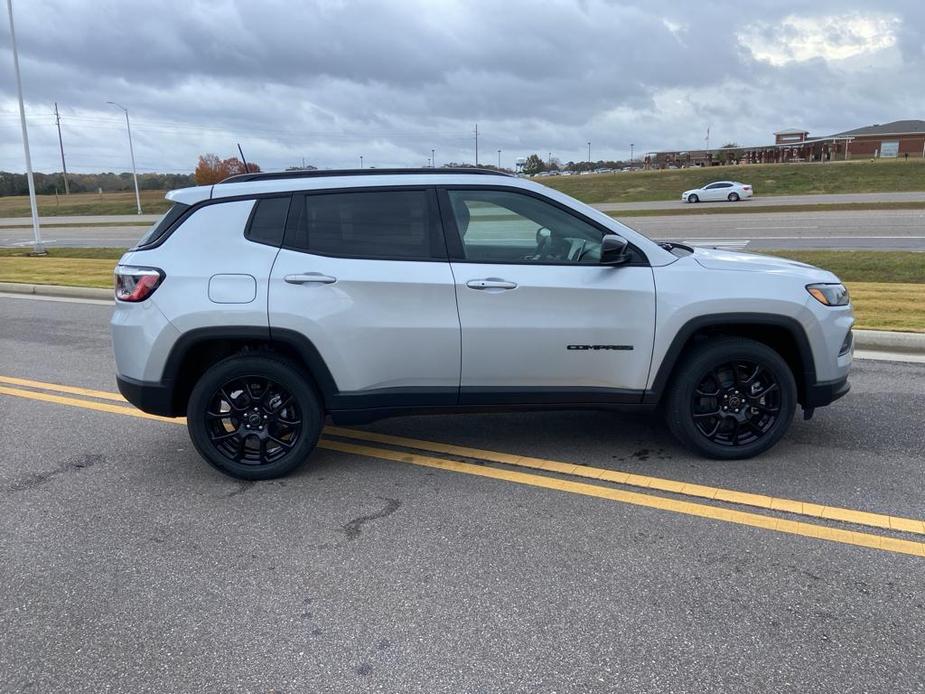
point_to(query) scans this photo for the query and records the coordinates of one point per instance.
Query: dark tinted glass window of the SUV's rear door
(372, 224)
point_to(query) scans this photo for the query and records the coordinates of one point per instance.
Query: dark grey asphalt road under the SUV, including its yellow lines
(418, 564)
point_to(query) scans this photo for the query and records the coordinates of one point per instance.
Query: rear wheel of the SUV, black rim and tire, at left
(254, 416)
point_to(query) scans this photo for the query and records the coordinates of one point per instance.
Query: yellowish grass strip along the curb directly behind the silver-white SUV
(887, 288)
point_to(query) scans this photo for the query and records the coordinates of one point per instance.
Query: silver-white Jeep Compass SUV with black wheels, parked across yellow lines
(259, 306)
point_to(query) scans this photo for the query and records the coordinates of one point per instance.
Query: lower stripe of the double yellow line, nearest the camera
(849, 537)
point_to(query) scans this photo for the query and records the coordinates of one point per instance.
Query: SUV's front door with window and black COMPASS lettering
(542, 320)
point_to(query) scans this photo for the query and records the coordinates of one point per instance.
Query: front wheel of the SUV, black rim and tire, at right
(732, 398)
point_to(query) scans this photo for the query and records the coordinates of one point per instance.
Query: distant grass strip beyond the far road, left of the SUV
(152, 202)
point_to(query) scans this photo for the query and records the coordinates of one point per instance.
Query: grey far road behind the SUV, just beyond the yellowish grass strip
(863, 229)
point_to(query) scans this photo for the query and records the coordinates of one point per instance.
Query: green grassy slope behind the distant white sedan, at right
(767, 179)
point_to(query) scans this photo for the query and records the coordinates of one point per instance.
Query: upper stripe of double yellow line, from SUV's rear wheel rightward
(803, 508)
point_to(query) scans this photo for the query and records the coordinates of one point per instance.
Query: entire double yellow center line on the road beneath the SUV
(560, 476)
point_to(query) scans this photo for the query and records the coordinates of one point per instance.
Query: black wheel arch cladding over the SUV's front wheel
(783, 334)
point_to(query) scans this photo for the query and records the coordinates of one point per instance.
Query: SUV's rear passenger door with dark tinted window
(363, 275)
